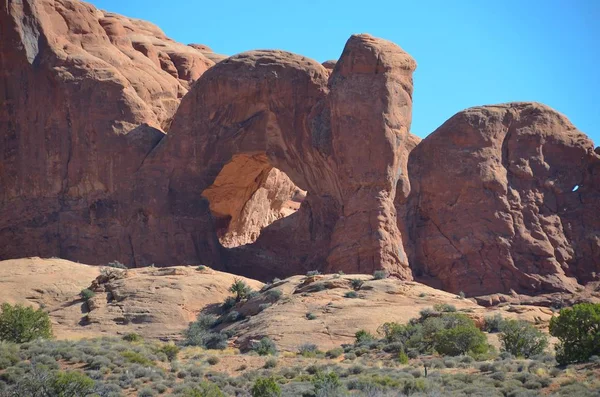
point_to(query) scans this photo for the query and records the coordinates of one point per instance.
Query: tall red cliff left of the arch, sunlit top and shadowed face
(86, 95)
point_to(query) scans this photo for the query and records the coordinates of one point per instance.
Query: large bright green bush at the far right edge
(578, 332)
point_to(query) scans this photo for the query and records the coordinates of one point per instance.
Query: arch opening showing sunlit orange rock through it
(249, 194)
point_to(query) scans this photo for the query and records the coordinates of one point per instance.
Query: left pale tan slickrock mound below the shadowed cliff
(154, 302)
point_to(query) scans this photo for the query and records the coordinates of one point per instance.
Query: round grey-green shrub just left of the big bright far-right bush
(522, 339)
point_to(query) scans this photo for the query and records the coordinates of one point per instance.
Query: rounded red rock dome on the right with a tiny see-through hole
(505, 197)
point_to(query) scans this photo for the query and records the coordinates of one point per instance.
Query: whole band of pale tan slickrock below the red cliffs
(159, 303)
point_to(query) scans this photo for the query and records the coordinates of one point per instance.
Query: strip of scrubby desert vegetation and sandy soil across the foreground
(442, 352)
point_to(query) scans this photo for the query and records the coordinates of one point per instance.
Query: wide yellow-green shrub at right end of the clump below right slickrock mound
(459, 340)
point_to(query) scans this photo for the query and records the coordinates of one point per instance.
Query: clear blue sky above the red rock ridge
(469, 52)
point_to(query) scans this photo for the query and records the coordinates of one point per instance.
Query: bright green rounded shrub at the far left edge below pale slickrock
(19, 324)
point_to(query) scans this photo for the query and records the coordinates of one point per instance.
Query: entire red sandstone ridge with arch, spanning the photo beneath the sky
(119, 143)
